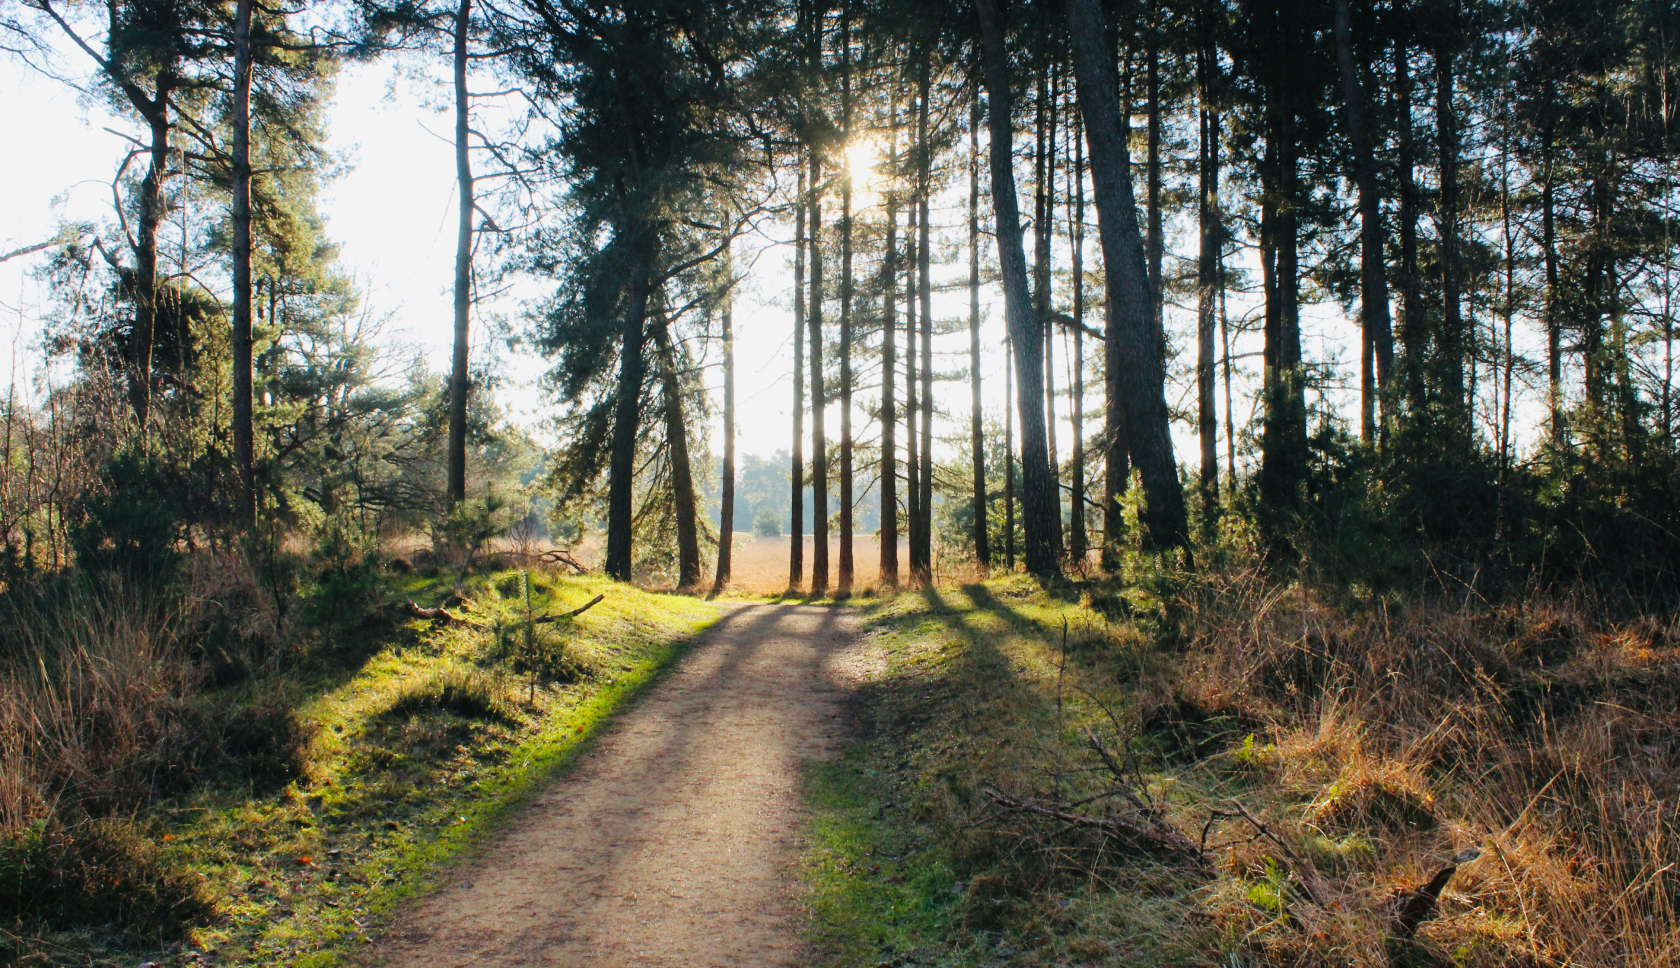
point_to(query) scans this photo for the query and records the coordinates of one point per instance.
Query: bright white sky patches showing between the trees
(394, 218)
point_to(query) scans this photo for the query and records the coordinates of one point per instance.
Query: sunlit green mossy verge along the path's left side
(414, 750)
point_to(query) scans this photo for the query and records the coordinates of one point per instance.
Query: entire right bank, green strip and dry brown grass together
(1368, 742)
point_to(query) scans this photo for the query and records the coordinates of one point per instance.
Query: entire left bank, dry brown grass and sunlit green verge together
(194, 777)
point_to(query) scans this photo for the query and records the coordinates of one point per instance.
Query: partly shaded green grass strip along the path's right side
(901, 870)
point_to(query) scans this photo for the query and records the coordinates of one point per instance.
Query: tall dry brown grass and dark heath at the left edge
(102, 717)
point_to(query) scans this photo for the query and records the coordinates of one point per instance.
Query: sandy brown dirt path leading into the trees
(675, 839)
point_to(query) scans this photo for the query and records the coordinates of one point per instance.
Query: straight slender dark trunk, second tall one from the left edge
(244, 438)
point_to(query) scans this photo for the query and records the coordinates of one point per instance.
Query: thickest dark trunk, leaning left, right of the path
(1135, 329)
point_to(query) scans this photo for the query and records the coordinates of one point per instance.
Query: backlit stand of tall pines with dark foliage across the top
(1402, 271)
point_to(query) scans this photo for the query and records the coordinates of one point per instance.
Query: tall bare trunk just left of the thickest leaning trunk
(1039, 500)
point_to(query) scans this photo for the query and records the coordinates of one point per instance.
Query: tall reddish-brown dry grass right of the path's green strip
(1541, 734)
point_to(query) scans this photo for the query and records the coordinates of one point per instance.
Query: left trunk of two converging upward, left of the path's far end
(627, 408)
